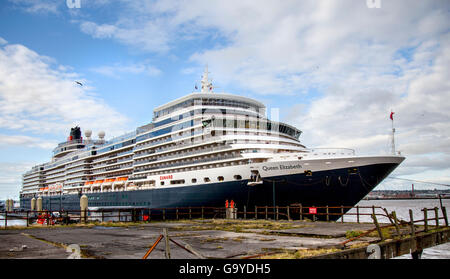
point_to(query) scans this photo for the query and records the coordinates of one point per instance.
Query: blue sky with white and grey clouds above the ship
(334, 69)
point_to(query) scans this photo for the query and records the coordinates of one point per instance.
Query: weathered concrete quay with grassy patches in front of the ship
(225, 239)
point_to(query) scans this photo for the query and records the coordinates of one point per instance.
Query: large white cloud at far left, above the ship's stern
(38, 96)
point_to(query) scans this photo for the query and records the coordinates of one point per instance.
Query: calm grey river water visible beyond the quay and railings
(401, 207)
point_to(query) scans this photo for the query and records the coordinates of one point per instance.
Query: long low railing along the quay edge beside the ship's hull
(294, 212)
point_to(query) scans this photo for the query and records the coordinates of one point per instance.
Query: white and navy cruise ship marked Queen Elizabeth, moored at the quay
(201, 150)
